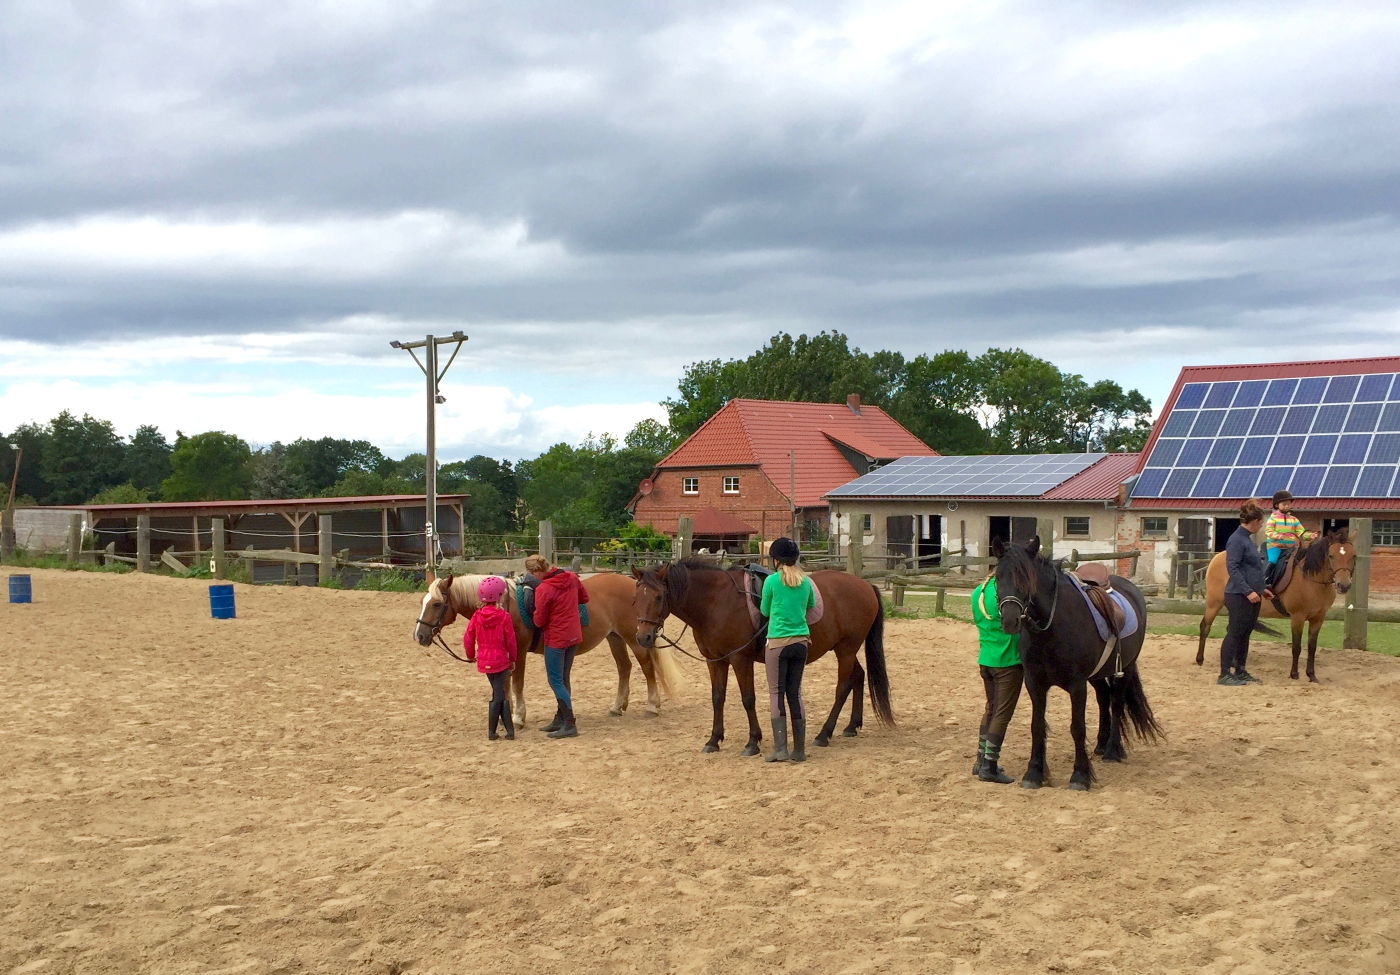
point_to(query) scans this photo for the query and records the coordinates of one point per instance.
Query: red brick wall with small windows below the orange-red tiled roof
(759, 504)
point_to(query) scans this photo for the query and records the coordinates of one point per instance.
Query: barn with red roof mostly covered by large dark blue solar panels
(1326, 431)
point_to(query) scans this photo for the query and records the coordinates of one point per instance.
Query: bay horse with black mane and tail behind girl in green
(715, 603)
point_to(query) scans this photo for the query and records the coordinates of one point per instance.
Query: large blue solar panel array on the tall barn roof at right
(1328, 436)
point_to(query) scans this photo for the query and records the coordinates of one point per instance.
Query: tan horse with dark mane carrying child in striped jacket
(1321, 572)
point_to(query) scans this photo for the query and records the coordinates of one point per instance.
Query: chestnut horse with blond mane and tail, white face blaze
(611, 617)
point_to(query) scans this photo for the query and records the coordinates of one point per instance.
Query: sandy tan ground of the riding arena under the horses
(304, 789)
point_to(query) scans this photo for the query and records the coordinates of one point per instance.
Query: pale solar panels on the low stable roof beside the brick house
(969, 477)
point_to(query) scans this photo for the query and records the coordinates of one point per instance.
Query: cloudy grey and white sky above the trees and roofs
(216, 215)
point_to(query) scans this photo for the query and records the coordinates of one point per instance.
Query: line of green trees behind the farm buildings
(1003, 401)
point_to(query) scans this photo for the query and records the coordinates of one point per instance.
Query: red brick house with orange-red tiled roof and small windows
(757, 467)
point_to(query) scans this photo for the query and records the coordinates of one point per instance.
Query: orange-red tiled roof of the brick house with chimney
(761, 432)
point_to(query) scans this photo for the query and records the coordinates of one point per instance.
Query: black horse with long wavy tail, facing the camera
(1060, 646)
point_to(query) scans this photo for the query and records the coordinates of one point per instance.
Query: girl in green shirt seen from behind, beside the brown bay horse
(787, 596)
